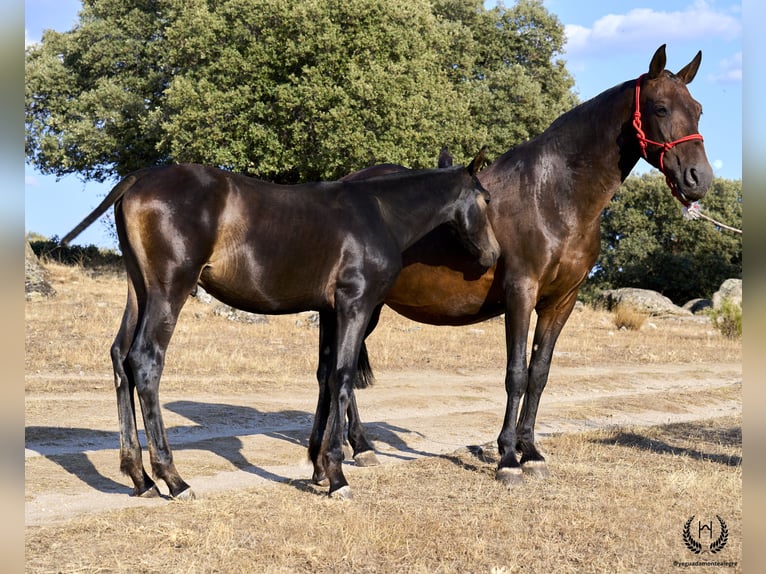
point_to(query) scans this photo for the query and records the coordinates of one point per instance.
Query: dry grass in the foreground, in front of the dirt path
(617, 502)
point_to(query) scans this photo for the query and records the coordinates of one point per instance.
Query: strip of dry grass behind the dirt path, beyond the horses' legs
(89, 306)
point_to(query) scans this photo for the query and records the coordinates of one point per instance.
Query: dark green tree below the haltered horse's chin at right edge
(646, 243)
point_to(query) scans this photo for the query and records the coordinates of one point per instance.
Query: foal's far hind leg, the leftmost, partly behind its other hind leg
(130, 447)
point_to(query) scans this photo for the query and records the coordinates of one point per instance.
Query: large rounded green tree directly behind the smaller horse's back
(322, 87)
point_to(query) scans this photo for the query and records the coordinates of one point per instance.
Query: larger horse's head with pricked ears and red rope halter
(666, 119)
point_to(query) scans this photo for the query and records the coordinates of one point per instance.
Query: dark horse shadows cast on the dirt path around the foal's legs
(212, 430)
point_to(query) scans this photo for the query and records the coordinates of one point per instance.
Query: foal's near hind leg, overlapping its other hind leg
(146, 360)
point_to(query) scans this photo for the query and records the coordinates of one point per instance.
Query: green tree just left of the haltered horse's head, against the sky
(514, 82)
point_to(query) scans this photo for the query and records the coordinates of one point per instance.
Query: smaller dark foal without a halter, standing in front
(333, 247)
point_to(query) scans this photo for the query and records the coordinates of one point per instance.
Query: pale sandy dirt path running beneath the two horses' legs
(234, 441)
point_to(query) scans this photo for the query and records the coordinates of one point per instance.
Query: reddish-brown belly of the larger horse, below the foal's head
(443, 296)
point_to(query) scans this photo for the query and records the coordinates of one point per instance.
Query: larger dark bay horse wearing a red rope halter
(547, 198)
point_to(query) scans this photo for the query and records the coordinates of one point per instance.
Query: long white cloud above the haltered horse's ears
(644, 26)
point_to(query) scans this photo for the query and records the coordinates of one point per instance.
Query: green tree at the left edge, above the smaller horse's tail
(92, 93)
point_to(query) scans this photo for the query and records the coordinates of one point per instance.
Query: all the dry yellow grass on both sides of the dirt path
(617, 500)
